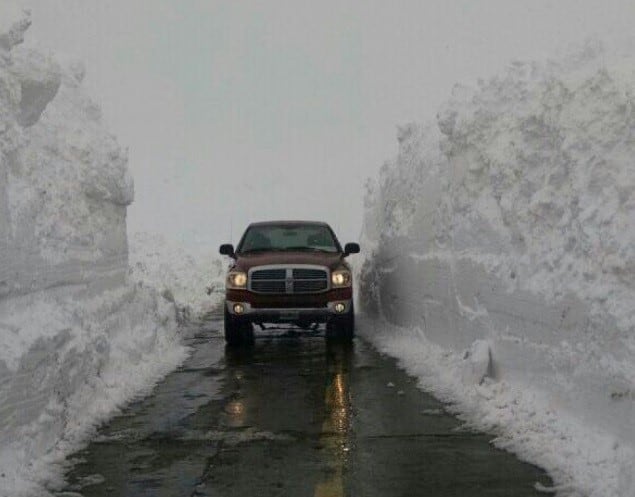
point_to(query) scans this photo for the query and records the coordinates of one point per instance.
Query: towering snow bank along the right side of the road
(501, 244)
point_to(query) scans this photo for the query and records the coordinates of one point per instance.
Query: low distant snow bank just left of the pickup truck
(194, 282)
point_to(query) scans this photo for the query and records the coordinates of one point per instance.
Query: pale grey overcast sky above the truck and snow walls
(236, 111)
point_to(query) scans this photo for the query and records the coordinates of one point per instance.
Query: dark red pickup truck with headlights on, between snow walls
(289, 272)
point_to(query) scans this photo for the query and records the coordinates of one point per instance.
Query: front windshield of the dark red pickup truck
(314, 238)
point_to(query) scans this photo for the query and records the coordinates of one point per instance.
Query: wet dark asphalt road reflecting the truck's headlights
(293, 416)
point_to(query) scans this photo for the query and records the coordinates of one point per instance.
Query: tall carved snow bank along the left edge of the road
(77, 340)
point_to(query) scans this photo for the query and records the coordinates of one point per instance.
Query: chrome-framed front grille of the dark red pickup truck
(288, 280)
